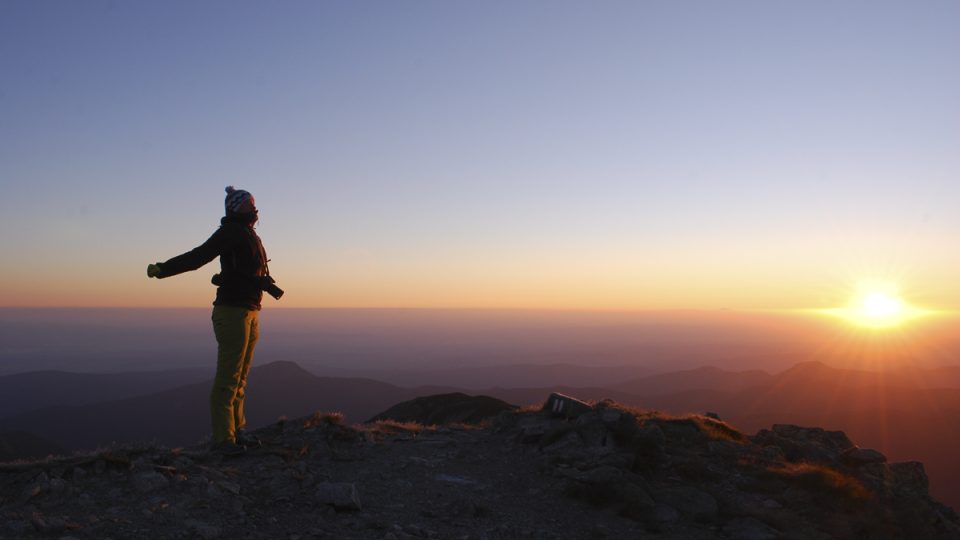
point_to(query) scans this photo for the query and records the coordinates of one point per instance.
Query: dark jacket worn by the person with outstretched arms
(242, 262)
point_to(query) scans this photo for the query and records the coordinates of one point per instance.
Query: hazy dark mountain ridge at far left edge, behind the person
(34, 390)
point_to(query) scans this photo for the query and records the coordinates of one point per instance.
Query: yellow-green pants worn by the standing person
(237, 331)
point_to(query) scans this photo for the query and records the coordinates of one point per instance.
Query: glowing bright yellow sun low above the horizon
(877, 305)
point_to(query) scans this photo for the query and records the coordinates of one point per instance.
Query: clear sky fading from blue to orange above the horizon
(543, 154)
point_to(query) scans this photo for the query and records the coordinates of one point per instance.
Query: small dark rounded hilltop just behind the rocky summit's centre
(443, 409)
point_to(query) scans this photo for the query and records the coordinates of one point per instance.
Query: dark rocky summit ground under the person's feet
(604, 471)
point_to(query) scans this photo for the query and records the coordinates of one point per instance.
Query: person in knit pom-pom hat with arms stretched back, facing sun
(240, 284)
